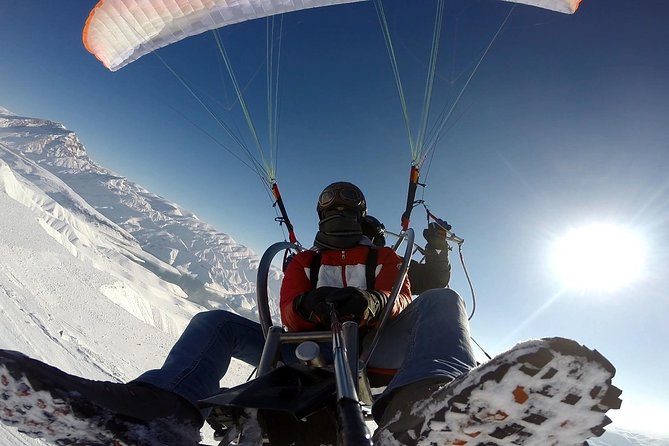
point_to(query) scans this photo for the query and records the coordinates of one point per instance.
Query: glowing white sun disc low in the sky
(598, 257)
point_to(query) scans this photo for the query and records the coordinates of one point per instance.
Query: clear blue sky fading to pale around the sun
(564, 124)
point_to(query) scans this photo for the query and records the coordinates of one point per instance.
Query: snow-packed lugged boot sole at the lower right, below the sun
(548, 392)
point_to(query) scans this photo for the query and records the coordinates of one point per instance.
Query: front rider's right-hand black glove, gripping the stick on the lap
(357, 305)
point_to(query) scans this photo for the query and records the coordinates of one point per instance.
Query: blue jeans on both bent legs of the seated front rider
(429, 339)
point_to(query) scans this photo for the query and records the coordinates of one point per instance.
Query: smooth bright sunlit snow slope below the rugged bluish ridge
(95, 313)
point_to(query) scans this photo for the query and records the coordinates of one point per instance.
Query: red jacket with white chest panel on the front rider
(339, 269)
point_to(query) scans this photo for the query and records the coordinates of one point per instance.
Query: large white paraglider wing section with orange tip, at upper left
(119, 32)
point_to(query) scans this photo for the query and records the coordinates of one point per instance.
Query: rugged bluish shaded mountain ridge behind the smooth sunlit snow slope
(207, 265)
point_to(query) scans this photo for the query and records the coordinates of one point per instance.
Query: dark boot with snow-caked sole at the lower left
(45, 402)
